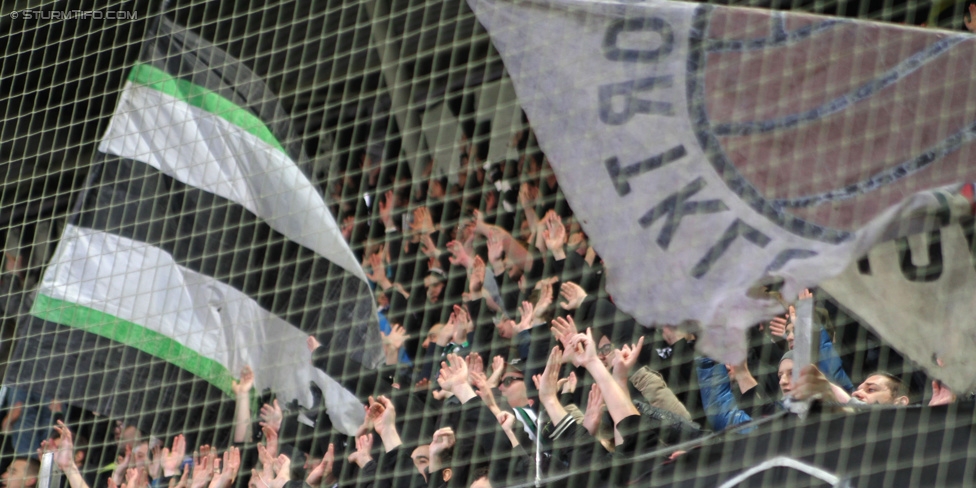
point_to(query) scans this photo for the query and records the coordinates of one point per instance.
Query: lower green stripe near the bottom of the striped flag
(132, 335)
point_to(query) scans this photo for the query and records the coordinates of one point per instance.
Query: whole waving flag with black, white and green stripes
(199, 246)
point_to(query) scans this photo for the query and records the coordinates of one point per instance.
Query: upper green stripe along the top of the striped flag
(204, 99)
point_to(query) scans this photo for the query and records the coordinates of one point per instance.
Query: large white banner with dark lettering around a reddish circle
(709, 150)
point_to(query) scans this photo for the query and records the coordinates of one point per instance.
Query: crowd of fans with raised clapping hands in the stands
(505, 359)
